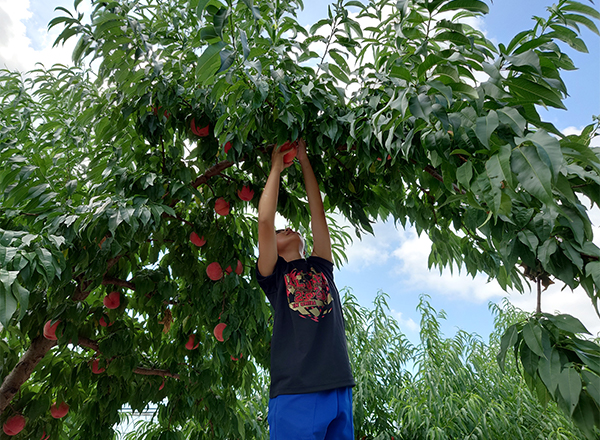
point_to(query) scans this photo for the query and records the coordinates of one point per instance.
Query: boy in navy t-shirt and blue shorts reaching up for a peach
(311, 379)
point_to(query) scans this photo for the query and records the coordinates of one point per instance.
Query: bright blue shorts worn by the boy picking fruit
(325, 415)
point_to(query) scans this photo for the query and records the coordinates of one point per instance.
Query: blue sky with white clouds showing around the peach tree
(394, 260)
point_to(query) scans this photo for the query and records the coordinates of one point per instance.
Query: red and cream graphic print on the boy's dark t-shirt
(308, 293)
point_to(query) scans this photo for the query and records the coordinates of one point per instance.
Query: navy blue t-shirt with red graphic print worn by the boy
(309, 352)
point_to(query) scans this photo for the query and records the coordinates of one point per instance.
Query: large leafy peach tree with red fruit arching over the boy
(129, 185)
